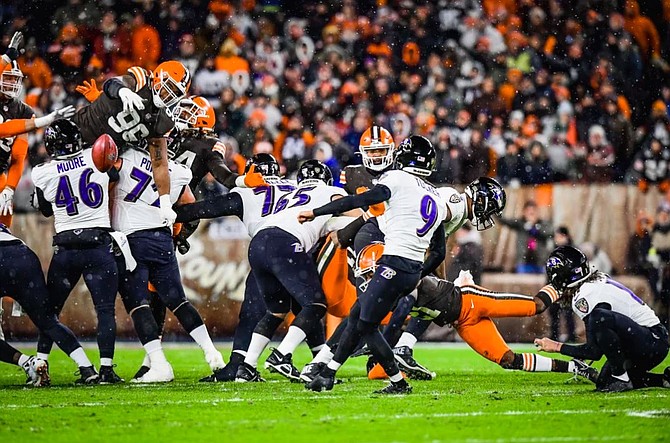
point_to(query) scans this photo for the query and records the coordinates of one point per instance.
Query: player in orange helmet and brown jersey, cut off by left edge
(13, 149)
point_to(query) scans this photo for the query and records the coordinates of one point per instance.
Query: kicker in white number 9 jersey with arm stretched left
(413, 216)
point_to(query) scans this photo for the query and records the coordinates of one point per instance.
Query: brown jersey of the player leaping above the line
(107, 116)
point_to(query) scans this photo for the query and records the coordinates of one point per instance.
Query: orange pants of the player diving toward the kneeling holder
(475, 326)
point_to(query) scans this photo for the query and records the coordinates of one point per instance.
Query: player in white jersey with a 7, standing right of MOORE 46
(136, 212)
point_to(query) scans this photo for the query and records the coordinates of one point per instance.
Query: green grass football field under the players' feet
(472, 400)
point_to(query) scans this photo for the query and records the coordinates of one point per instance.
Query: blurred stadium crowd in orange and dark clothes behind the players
(530, 91)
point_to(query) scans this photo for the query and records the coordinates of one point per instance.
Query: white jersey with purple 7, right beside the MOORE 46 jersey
(135, 197)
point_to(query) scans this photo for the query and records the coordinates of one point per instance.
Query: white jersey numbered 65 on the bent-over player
(305, 197)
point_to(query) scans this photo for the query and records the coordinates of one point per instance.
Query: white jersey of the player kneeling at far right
(622, 300)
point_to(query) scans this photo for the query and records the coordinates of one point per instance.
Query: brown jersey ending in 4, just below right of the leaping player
(202, 153)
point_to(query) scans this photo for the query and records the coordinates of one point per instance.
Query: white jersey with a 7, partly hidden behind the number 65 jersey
(259, 203)
